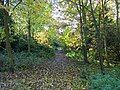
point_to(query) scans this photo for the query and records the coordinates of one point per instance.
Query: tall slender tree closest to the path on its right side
(81, 10)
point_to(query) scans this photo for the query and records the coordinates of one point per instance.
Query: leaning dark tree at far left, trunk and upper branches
(5, 7)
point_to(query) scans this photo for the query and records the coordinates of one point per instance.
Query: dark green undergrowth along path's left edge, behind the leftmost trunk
(24, 61)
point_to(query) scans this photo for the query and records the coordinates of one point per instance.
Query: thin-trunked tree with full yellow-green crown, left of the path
(34, 15)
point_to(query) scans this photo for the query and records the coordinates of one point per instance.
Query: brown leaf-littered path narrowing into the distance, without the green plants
(56, 74)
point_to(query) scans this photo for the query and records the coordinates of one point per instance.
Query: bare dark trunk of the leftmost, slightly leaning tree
(6, 30)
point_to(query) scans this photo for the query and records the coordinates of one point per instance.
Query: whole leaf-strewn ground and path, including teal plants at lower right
(61, 74)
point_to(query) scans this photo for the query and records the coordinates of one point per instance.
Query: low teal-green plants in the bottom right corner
(105, 82)
